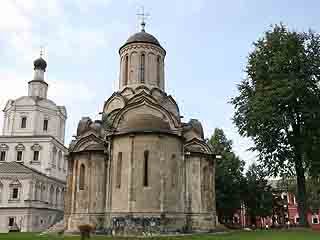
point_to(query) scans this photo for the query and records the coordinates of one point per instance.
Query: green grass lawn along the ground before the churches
(255, 235)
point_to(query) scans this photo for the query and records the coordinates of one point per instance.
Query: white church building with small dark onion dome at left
(33, 169)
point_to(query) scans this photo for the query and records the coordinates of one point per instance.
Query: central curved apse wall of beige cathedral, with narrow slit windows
(164, 192)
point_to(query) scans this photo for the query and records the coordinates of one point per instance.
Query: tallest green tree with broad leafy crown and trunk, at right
(278, 104)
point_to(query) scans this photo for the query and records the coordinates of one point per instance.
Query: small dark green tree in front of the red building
(258, 197)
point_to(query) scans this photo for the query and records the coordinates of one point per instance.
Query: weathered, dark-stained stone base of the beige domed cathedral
(142, 223)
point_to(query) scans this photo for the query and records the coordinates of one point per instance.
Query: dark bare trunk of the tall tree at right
(301, 190)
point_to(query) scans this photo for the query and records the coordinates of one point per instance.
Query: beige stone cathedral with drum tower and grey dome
(140, 167)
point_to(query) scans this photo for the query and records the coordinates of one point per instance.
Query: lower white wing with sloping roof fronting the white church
(35, 205)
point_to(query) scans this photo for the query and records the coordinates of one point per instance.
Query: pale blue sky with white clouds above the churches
(207, 44)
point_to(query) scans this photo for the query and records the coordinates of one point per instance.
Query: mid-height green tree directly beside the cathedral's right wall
(229, 177)
